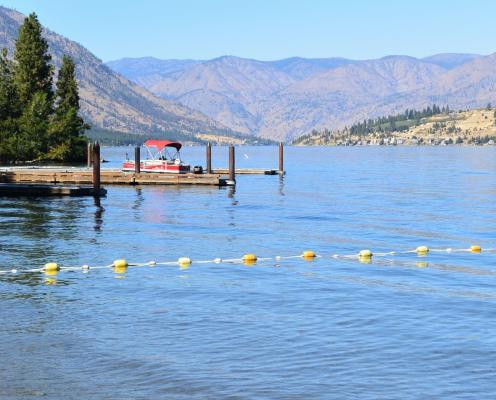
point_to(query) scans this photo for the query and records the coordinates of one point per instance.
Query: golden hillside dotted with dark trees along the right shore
(445, 127)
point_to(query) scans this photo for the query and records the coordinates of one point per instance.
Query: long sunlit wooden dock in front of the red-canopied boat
(82, 176)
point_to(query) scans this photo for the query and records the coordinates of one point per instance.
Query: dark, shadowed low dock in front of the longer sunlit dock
(42, 190)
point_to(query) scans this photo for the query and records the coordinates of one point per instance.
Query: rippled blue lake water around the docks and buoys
(400, 327)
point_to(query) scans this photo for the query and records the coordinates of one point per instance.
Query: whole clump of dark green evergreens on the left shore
(35, 123)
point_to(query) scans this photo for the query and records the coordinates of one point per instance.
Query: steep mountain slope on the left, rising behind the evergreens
(110, 101)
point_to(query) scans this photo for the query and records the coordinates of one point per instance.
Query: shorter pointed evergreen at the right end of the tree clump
(67, 127)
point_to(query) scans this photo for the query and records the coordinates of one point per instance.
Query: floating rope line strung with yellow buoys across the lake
(365, 256)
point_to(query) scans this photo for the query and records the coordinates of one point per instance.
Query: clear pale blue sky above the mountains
(269, 29)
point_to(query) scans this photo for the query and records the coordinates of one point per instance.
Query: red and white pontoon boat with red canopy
(163, 157)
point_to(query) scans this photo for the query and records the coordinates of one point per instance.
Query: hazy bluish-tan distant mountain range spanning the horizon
(284, 99)
